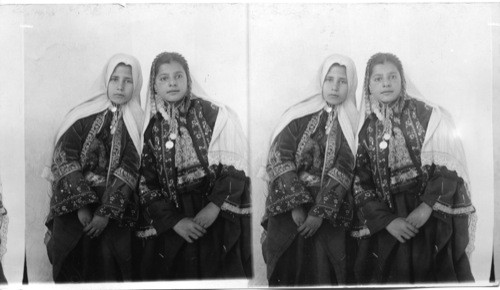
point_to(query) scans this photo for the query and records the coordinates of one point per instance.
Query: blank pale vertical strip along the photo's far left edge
(12, 138)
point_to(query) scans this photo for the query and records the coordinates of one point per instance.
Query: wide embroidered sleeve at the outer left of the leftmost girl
(70, 190)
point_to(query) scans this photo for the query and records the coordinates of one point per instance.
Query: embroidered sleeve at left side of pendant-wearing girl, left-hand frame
(158, 211)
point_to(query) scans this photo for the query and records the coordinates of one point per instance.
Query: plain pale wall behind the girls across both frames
(445, 48)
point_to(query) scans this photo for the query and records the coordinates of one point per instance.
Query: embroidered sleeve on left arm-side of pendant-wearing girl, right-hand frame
(373, 213)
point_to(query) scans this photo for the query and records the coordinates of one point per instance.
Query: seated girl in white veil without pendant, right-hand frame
(309, 204)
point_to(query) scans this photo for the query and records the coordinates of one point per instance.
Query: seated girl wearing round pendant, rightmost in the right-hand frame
(411, 186)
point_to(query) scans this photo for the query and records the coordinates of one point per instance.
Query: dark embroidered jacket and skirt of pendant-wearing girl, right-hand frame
(383, 192)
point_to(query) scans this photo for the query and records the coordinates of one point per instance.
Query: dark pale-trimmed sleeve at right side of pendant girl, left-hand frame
(231, 192)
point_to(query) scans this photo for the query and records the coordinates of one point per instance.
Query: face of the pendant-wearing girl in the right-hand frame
(385, 82)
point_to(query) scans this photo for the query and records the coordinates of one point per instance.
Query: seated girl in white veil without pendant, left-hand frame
(95, 168)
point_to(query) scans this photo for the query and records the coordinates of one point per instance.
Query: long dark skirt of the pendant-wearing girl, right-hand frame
(435, 254)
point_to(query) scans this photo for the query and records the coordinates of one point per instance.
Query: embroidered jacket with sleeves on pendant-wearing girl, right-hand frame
(376, 183)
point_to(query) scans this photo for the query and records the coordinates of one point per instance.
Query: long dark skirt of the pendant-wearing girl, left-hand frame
(223, 252)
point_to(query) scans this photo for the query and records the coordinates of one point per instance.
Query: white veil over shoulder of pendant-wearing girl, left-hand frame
(228, 144)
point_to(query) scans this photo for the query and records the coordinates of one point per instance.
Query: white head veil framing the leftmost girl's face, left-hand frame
(99, 101)
